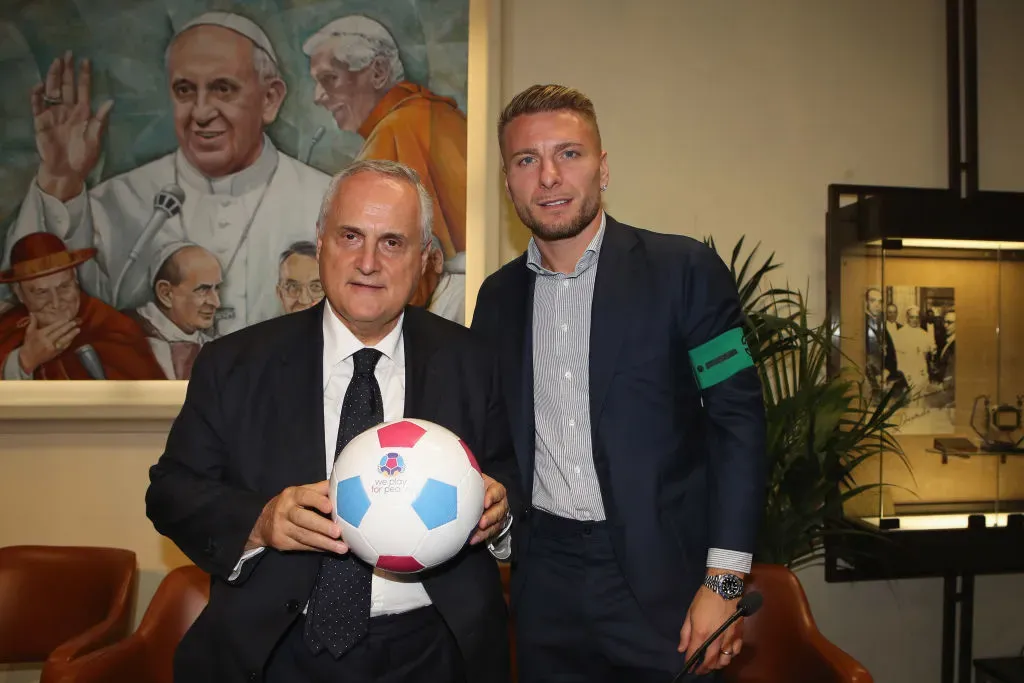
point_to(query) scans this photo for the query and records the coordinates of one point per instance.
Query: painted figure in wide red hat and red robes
(58, 332)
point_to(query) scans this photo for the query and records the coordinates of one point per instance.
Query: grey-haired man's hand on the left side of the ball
(292, 521)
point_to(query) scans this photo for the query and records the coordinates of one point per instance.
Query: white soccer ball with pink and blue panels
(408, 495)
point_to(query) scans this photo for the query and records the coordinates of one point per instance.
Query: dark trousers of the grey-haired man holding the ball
(411, 648)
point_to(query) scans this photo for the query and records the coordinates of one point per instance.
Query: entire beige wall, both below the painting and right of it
(720, 118)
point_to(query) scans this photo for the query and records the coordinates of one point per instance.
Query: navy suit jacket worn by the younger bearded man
(681, 469)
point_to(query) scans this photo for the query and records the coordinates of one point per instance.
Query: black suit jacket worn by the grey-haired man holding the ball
(252, 424)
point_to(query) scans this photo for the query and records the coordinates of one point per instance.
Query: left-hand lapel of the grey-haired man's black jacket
(301, 390)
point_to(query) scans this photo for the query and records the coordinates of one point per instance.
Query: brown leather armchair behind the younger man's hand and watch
(782, 644)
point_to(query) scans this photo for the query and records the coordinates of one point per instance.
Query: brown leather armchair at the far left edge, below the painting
(59, 604)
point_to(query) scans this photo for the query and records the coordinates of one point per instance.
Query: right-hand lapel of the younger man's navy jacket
(610, 313)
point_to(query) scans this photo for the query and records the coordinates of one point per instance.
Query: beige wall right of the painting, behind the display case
(732, 118)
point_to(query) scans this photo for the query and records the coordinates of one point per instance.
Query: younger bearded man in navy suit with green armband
(637, 417)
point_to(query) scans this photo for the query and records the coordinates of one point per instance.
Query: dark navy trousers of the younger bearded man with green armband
(577, 619)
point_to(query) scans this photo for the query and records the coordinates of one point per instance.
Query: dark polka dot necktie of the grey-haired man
(338, 616)
